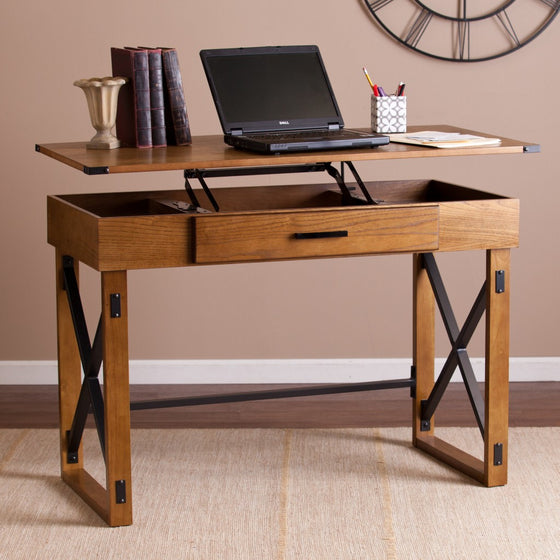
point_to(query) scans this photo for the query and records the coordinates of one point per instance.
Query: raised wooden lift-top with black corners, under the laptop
(210, 152)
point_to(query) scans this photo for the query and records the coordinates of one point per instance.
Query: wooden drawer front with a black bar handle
(221, 238)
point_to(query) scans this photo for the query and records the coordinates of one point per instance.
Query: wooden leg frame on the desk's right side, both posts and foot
(492, 471)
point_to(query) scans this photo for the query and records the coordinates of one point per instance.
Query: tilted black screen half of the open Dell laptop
(270, 88)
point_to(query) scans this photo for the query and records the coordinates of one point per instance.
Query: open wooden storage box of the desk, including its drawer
(132, 230)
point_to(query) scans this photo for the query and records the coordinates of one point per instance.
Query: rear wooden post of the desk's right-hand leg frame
(423, 341)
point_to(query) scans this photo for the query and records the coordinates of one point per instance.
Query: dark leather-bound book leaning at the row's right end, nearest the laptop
(176, 99)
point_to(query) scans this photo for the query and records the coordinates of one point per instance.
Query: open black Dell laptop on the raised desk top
(277, 100)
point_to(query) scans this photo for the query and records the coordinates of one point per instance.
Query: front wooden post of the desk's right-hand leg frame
(497, 367)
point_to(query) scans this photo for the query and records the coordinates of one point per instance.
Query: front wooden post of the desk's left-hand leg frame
(117, 397)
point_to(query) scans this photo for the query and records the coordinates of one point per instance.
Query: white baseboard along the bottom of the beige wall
(273, 371)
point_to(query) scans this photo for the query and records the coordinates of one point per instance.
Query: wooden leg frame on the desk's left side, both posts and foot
(113, 503)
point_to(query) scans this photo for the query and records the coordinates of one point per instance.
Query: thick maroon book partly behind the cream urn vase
(134, 122)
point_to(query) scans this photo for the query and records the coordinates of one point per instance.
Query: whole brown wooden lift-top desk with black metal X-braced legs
(116, 232)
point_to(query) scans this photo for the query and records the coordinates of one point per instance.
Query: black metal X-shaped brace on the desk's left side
(91, 357)
